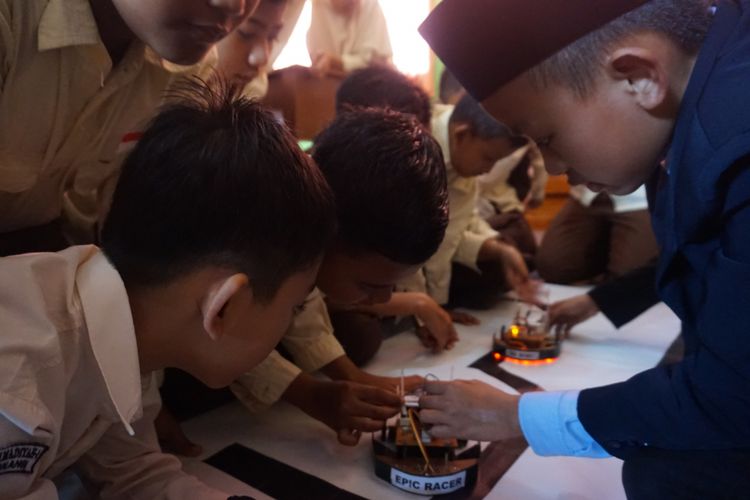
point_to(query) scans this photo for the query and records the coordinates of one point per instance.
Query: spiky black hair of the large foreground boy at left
(217, 181)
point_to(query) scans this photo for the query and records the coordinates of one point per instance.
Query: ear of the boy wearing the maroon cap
(644, 74)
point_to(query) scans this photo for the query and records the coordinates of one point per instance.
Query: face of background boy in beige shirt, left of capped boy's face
(471, 155)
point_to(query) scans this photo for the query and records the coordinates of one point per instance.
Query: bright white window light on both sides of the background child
(411, 55)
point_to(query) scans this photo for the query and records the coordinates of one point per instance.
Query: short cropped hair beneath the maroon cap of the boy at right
(685, 22)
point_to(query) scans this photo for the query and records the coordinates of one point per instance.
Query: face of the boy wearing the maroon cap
(606, 140)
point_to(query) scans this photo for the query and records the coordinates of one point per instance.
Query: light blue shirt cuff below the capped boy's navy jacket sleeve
(550, 424)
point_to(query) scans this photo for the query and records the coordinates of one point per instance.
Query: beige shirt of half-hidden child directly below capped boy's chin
(495, 194)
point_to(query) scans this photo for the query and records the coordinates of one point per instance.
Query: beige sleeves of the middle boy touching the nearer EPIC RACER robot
(311, 343)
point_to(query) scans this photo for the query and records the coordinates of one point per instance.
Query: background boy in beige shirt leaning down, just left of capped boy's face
(472, 266)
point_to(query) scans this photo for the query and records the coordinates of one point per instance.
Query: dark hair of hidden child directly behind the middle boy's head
(381, 86)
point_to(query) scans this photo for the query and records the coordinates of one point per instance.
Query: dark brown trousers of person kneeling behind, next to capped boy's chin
(594, 243)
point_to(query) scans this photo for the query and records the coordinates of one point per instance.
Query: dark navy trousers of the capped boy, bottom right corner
(688, 475)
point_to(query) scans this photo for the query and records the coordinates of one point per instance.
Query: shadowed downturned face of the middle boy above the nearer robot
(361, 279)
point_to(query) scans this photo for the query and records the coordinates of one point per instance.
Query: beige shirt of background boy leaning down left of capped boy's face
(466, 231)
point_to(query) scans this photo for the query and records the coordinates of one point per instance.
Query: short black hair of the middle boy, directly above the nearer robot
(388, 178)
